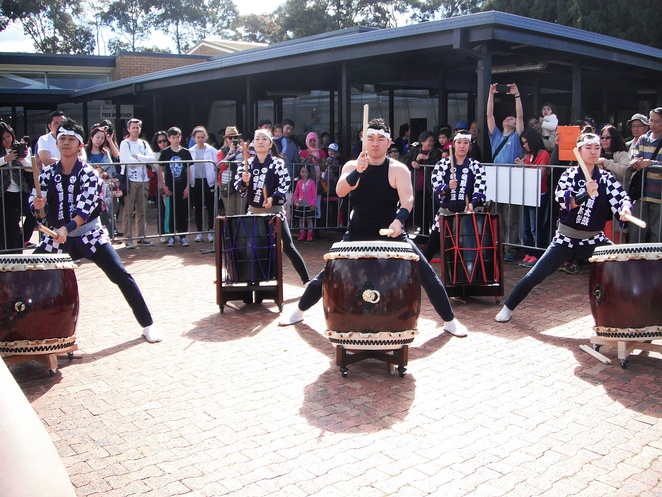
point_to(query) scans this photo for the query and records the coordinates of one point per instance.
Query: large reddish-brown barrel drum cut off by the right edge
(625, 291)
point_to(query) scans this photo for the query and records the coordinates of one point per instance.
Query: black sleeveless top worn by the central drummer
(374, 204)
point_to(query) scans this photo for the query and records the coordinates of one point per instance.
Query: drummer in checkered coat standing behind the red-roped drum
(460, 188)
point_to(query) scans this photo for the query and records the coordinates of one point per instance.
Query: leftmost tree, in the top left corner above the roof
(55, 26)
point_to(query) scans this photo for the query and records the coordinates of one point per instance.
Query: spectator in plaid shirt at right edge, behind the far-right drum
(647, 153)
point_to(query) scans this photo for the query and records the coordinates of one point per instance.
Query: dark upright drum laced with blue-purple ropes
(248, 248)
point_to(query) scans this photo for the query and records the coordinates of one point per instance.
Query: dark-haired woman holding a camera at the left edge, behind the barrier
(14, 189)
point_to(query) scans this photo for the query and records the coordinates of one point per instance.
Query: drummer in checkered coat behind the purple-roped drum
(265, 183)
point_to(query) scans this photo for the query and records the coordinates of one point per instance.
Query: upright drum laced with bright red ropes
(471, 254)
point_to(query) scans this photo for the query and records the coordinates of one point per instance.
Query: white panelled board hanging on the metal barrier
(513, 185)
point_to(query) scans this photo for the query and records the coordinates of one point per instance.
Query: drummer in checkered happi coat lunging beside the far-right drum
(586, 206)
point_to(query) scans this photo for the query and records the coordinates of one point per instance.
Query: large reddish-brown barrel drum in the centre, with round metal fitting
(371, 287)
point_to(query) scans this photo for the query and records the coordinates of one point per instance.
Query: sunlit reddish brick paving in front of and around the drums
(232, 404)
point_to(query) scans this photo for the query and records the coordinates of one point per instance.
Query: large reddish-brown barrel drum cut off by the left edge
(38, 304)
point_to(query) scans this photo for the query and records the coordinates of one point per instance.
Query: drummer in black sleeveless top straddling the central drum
(381, 196)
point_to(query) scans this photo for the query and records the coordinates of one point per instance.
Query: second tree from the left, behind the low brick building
(132, 22)
